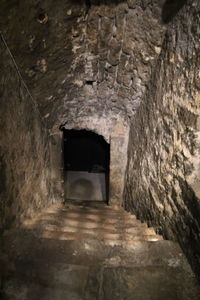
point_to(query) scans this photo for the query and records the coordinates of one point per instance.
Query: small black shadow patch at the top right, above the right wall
(171, 8)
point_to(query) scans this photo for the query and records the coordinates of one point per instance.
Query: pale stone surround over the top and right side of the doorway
(115, 132)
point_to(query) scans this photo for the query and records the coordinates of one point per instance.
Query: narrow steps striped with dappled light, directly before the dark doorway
(74, 222)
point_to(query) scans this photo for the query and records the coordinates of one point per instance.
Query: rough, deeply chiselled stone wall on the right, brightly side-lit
(163, 176)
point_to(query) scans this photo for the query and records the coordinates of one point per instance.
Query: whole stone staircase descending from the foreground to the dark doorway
(88, 251)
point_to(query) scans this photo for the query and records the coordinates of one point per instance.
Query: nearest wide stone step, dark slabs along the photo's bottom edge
(68, 282)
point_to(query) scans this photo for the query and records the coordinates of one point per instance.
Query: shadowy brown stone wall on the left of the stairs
(25, 175)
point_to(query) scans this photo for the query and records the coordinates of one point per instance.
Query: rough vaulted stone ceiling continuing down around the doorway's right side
(87, 63)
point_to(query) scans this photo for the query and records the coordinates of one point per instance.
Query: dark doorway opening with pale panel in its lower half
(86, 165)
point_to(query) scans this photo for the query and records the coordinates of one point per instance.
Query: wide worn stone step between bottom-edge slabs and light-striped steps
(28, 247)
